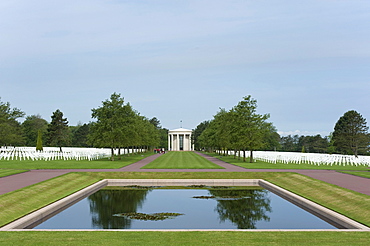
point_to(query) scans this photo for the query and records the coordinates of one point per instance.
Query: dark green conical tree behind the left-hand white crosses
(58, 133)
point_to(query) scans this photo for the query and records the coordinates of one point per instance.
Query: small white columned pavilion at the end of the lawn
(180, 140)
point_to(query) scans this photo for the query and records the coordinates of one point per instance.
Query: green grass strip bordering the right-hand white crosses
(267, 165)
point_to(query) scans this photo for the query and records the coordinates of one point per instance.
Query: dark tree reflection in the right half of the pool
(243, 212)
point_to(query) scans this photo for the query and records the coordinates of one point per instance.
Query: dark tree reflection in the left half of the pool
(105, 203)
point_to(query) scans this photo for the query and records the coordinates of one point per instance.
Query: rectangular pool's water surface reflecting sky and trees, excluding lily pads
(259, 209)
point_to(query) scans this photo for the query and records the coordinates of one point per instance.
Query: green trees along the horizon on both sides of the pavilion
(117, 125)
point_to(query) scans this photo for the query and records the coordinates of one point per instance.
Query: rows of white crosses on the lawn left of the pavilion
(53, 153)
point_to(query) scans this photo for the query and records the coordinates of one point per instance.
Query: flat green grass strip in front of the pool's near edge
(184, 238)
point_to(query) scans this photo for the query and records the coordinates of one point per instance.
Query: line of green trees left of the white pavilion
(115, 125)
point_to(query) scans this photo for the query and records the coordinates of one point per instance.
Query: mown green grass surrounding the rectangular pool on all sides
(18, 203)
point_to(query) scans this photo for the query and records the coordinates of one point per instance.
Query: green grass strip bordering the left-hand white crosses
(74, 164)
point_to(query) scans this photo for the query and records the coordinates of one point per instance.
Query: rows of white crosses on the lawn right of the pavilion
(307, 158)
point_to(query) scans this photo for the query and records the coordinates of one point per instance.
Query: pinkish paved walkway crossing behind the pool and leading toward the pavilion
(17, 181)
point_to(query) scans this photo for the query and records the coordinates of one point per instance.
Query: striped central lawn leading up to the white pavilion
(181, 160)
